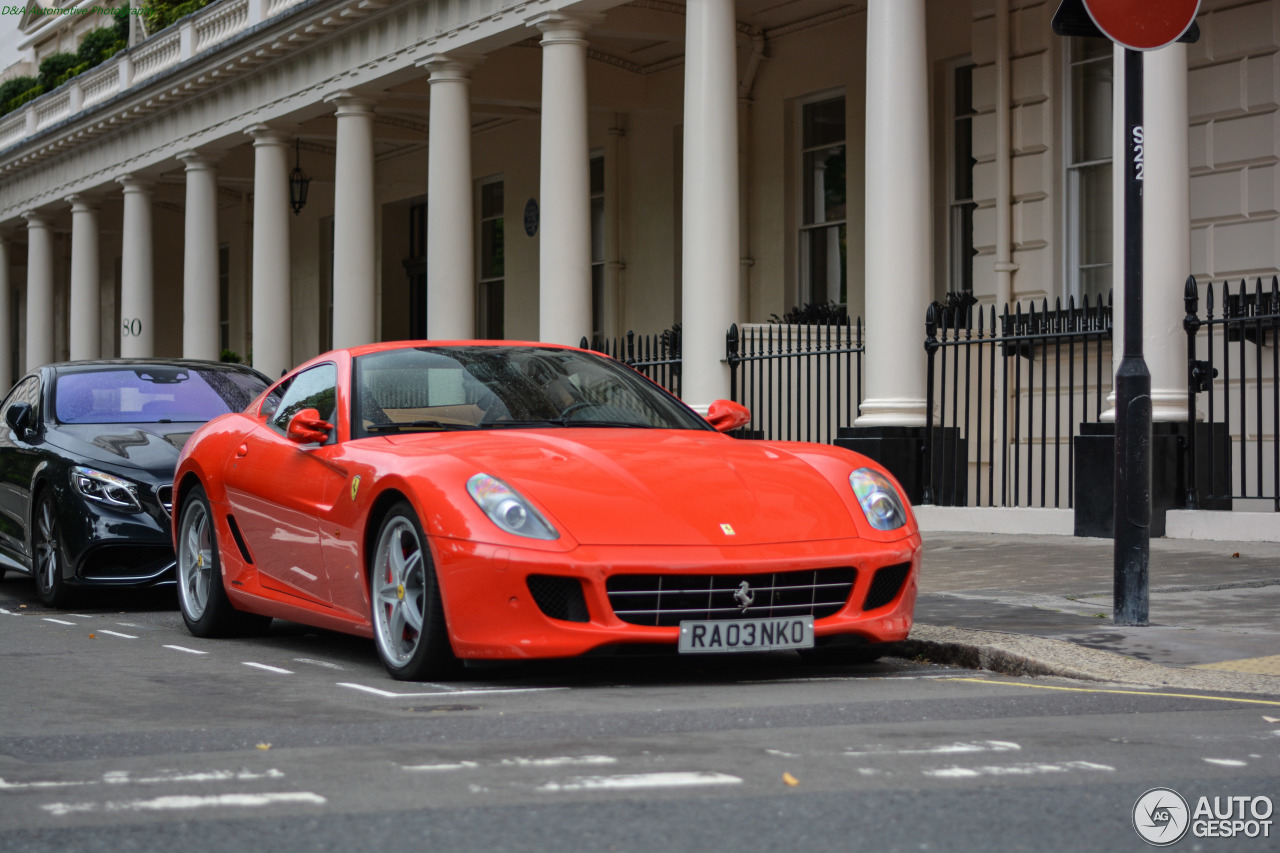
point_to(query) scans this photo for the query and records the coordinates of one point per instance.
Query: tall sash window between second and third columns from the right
(824, 227)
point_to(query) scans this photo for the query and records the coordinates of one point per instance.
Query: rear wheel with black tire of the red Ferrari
(202, 595)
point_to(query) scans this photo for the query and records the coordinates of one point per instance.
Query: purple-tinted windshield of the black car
(153, 394)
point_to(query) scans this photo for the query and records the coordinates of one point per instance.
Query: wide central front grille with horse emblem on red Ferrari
(668, 600)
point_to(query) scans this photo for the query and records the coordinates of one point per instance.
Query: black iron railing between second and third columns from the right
(801, 382)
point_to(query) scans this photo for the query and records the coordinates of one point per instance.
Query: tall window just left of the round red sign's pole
(1090, 83)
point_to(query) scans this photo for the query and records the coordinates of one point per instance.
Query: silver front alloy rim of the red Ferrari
(400, 591)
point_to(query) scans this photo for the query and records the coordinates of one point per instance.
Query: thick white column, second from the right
(899, 236)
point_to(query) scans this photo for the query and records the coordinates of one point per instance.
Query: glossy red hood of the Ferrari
(662, 489)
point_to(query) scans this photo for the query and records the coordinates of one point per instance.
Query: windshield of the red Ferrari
(500, 387)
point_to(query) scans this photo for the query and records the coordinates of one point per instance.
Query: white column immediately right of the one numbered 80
(202, 313)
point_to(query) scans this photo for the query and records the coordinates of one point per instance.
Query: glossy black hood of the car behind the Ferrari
(152, 448)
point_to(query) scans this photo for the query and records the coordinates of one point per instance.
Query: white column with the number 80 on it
(138, 284)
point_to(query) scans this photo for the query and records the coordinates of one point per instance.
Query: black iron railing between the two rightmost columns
(1005, 395)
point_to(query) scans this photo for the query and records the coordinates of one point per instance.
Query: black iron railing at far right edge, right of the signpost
(1240, 381)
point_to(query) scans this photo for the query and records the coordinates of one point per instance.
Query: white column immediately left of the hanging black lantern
(272, 325)
